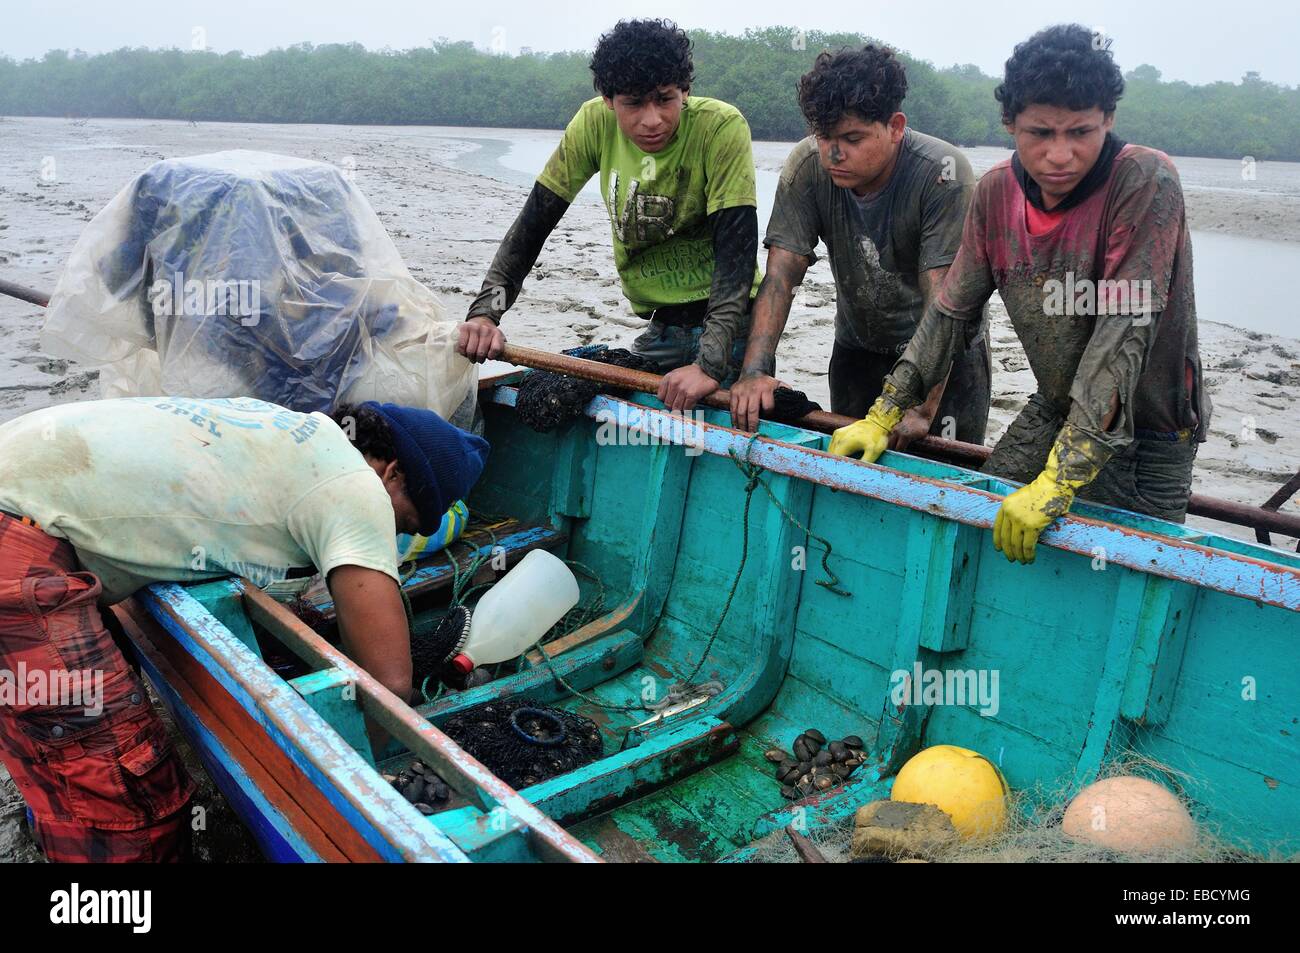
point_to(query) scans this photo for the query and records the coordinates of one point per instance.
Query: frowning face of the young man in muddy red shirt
(1059, 146)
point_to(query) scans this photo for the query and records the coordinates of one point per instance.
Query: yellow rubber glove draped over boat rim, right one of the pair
(1026, 514)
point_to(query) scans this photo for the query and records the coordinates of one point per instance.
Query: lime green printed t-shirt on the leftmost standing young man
(660, 202)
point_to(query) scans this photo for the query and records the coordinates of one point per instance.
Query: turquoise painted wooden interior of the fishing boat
(764, 604)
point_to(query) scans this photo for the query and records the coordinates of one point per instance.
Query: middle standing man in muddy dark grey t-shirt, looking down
(890, 205)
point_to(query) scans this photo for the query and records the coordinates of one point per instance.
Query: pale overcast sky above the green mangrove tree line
(1198, 41)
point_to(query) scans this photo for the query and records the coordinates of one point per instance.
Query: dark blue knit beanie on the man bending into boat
(441, 462)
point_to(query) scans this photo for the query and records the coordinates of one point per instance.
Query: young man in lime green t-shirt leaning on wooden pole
(678, 181)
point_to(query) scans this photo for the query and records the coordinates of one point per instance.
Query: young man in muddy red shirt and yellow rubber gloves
(1086, 240)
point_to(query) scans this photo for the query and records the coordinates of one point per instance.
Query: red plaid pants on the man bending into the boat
(101, 774)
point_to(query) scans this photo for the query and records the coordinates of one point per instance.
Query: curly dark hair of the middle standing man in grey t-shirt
(868, 83)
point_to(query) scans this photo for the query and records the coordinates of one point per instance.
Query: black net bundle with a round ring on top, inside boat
(523, 743)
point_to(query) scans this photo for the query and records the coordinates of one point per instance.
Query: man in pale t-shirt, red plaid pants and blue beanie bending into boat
(102, 499)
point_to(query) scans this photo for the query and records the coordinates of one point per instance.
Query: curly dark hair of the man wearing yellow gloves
(1067, 66)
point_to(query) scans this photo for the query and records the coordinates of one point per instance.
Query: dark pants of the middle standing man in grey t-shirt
(857, 379)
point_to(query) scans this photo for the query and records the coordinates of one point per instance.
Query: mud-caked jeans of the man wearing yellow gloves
(1152, 475)
